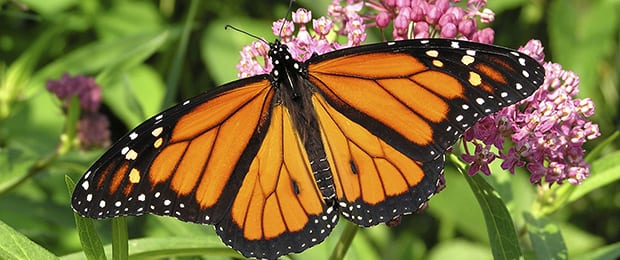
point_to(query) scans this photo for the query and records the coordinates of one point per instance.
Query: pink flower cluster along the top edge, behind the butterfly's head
(410, 19)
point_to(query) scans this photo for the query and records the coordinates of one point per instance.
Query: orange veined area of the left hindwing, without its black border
(279, 193)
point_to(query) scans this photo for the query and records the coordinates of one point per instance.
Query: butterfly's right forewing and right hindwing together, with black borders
(389, 111)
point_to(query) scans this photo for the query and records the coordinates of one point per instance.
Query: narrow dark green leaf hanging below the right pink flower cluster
(501, 230)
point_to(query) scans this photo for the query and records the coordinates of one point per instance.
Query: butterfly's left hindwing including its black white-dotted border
(279, 206)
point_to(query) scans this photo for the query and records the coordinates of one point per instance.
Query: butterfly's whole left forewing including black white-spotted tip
(187, 162)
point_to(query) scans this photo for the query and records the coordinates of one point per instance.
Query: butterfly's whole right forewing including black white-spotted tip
(424, 93)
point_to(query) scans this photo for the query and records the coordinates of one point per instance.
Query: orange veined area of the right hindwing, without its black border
(364, 167)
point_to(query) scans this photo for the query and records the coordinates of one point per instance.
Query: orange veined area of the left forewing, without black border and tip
(191, 150)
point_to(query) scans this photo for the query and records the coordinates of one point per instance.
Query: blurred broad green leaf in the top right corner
(584, 42)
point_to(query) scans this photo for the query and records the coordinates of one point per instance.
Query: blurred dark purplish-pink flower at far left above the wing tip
(92, 127)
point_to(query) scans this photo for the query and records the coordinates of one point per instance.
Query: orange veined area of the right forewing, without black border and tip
(397, 91)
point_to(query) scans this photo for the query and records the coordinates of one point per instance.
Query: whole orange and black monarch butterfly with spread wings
(273, 160)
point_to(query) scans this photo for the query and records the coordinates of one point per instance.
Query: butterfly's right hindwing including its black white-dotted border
(373, 181)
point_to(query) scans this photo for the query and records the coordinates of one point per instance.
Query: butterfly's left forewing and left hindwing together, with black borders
(231, 158)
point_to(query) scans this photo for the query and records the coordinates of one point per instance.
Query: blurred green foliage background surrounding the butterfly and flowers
(147, 55)
